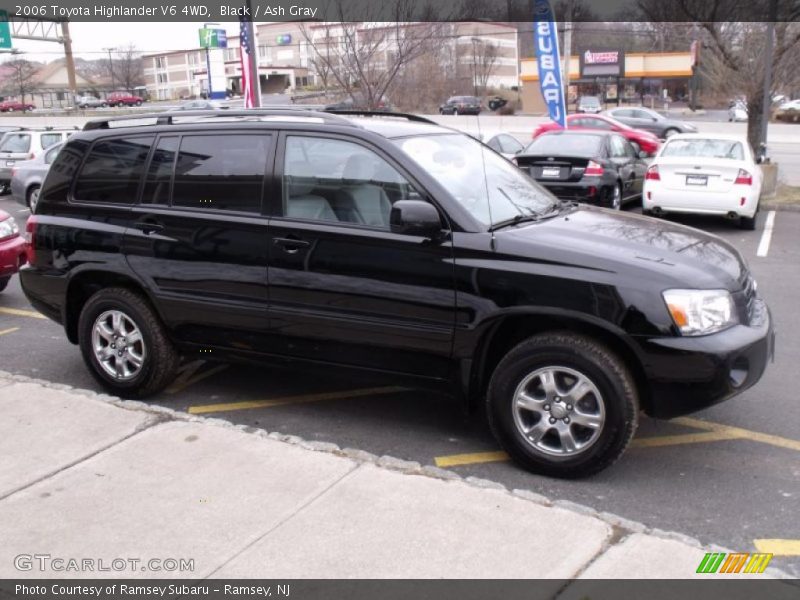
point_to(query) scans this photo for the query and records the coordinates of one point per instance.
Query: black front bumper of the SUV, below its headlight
(687, 374)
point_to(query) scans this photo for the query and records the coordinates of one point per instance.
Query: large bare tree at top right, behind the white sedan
(733, 57)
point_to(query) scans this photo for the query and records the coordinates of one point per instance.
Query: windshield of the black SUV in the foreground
(490, 187)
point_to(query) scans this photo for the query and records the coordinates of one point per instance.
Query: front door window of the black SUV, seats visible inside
(335, 180)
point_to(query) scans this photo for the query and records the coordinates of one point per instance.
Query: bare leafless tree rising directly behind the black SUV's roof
(366, 57)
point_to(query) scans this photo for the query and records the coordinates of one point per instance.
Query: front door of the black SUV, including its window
(343, 287)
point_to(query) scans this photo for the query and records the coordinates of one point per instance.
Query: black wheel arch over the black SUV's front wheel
(508, 330)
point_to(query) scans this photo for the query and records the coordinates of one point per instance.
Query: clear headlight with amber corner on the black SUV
(698, 312)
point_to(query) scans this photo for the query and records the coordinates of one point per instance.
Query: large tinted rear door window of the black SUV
(224, 172)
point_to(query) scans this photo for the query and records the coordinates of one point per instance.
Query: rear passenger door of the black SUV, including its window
(199, 237)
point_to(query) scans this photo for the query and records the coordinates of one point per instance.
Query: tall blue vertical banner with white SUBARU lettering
(545, 41)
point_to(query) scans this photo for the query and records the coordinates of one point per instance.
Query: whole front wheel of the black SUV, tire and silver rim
(563, 405)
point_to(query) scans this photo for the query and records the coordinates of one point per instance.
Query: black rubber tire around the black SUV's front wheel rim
(597, 364)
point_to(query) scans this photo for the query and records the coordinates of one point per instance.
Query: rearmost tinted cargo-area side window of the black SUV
(113, 170)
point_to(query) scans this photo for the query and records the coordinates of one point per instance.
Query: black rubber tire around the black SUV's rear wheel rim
(160, 360)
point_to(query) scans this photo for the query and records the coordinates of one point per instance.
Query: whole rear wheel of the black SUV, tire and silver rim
(125, 345)
